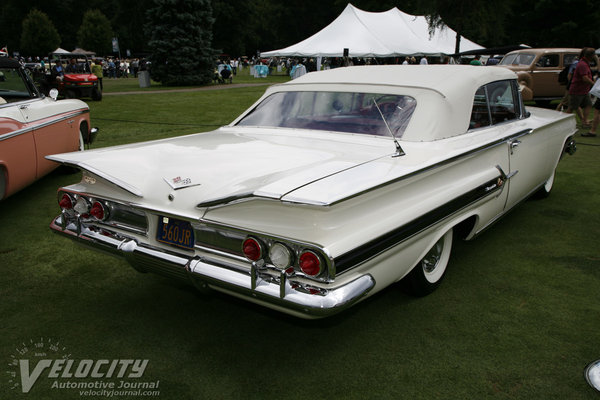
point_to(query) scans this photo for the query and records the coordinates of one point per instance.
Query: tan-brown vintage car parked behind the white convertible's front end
(538, 71)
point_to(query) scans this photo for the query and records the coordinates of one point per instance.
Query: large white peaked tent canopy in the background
(368, 34)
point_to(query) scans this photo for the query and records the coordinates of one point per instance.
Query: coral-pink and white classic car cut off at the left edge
(33, 126)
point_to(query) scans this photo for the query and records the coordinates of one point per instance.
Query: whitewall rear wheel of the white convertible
(427, 275)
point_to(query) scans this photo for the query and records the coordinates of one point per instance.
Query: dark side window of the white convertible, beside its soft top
(494, 103)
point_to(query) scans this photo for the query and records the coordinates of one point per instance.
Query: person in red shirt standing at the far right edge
(580, 86)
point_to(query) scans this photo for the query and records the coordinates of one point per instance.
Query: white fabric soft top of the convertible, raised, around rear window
(444, 93)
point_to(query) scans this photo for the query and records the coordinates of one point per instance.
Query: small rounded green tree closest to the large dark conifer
(95, 33)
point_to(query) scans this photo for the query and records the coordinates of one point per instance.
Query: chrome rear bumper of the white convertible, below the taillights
(276, 292)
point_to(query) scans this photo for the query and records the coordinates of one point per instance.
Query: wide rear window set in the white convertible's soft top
(334, 111)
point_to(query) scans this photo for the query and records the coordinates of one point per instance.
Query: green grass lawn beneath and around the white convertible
(517, 317)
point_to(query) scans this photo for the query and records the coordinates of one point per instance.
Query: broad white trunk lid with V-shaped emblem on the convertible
(231, 163)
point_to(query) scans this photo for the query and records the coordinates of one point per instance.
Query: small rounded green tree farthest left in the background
(39, 36)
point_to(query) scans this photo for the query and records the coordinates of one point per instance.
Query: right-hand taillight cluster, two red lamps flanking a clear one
(283, 257)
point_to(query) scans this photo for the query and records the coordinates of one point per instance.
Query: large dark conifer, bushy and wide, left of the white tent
(180, 34)
